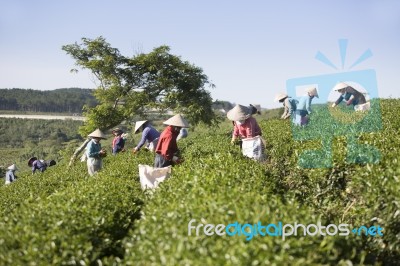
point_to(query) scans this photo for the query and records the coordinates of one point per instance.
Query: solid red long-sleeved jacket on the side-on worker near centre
(167, 145)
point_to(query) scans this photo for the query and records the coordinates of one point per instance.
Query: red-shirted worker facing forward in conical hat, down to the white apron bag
(244, 125)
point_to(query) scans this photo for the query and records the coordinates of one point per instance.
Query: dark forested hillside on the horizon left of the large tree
(68, 100)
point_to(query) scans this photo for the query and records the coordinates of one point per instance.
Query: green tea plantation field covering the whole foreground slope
(64, 217)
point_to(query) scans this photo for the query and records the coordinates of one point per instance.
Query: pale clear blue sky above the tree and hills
(248, 49)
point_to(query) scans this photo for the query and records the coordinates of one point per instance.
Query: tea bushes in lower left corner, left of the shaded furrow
(61, 217)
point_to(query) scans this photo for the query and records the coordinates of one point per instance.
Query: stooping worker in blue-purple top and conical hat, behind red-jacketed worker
(149, 135)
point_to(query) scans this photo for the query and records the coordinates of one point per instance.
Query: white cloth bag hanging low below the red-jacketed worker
(151, 177)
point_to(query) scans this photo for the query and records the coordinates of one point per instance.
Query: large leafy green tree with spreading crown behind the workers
(131, 86)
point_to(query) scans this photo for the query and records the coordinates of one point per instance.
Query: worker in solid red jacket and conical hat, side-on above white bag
(167, 148)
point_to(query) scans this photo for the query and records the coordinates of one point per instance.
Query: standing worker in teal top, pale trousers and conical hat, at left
(94, 152)
